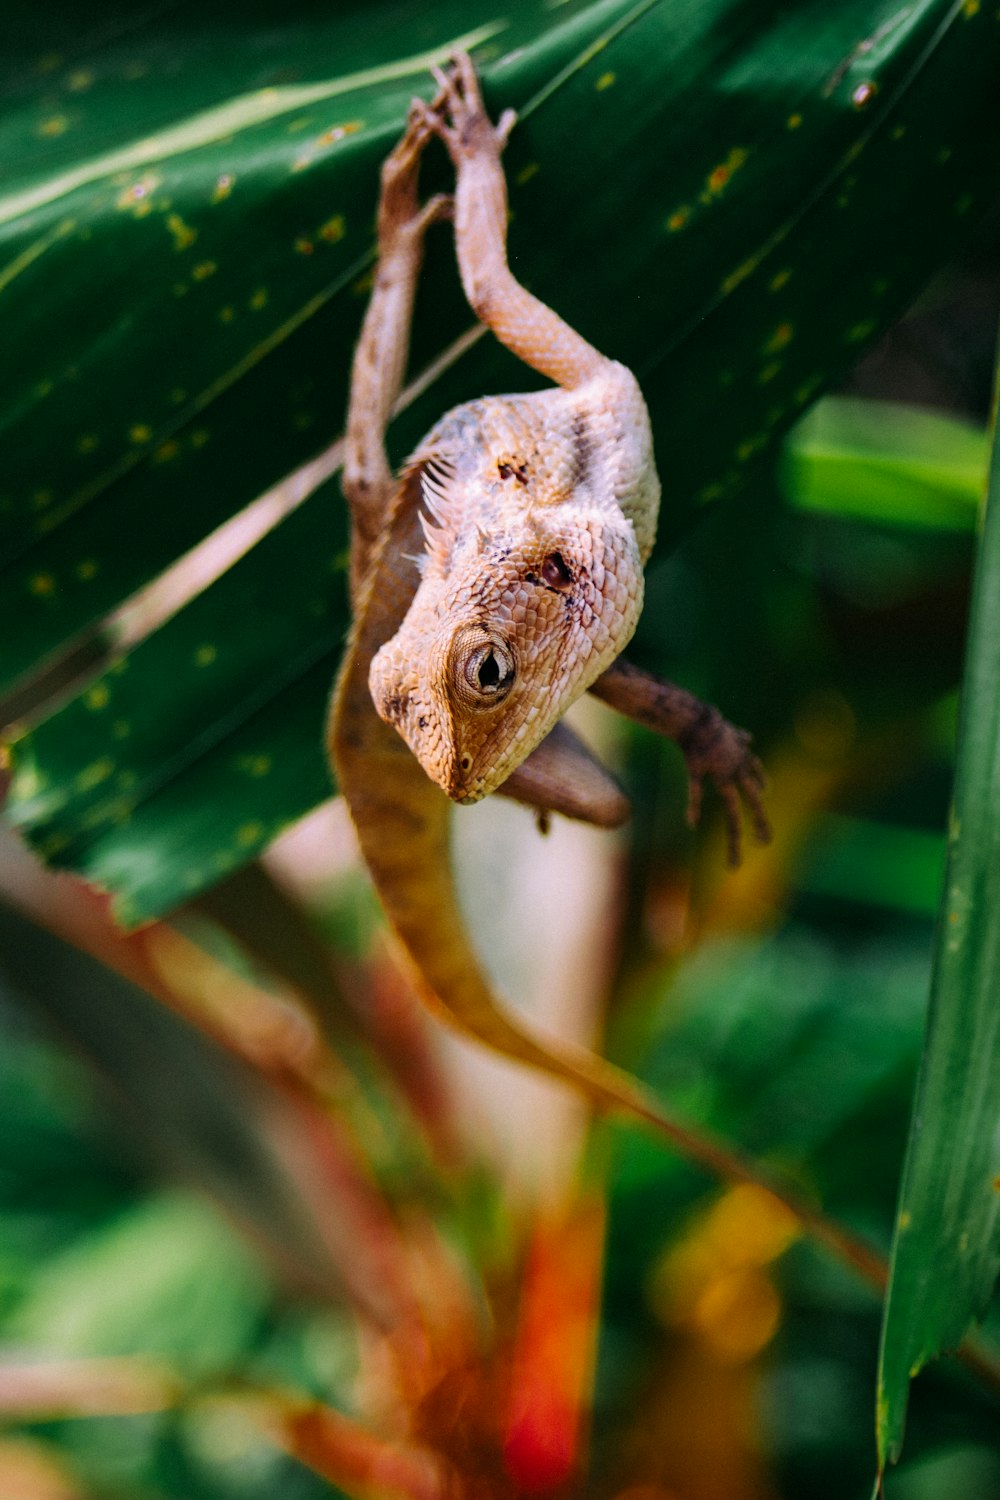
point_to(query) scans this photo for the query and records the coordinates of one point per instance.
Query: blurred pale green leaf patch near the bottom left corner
(169, 1279)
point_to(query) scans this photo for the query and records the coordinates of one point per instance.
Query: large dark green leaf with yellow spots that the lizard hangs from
(735, 197)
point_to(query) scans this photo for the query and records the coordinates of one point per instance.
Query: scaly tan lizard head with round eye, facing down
(506, 631)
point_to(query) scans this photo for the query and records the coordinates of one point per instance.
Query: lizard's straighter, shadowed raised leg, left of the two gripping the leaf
(380, 359)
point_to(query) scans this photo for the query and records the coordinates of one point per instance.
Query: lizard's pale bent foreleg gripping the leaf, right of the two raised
(528, 328)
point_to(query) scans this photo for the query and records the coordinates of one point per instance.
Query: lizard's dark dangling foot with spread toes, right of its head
(716, 749)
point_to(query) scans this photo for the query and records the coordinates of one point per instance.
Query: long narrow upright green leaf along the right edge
(947, 1247)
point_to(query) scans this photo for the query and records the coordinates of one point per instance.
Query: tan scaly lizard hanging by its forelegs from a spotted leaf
(494, 583)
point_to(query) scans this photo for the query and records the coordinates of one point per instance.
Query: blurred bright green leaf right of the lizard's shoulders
(887, 463)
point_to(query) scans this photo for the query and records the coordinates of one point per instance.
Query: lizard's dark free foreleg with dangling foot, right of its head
(711, 746)
